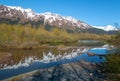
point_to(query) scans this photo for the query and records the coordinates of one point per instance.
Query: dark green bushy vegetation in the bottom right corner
(112, 67)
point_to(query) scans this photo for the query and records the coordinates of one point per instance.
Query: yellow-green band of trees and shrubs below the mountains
(27, 36)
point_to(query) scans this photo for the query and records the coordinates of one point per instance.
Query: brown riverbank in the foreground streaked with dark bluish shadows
(78, 71)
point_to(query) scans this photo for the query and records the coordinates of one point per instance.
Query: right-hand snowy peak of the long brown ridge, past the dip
(52, 18)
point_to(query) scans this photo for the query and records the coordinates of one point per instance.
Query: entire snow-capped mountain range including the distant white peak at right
(18, 15)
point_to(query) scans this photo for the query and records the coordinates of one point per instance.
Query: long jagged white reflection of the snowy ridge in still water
(47, 58)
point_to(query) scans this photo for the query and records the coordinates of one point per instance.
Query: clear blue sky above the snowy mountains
(93, 12)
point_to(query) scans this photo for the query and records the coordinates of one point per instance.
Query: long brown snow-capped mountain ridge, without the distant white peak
(24, 16)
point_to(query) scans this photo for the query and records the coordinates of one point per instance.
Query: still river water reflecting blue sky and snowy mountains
(22, 61)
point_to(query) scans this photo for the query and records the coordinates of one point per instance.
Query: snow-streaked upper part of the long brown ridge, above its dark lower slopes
(47, 17)
